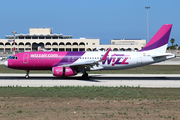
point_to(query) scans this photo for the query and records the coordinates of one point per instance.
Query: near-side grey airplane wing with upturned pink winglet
(90, 63)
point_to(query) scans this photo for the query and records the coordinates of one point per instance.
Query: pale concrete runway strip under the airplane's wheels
(110, 80)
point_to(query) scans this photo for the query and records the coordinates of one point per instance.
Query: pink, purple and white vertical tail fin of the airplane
(159, 41)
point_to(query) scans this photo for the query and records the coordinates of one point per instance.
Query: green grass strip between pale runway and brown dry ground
(111, 93)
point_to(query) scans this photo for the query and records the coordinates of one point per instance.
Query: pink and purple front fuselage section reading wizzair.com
(42, 60)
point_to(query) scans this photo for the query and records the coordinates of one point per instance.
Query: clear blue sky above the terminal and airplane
(98, 19)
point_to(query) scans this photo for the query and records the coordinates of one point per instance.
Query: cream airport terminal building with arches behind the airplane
(44, 38)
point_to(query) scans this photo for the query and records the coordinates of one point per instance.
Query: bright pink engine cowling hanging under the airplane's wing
(63, 71)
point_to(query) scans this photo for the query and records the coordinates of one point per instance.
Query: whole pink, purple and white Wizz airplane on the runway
(66, 63)
